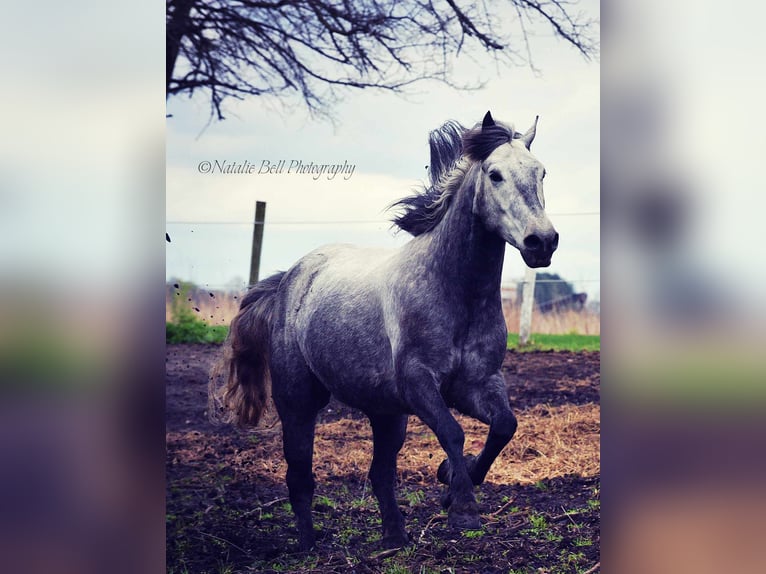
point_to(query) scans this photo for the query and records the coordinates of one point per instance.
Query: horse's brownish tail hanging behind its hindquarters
(239, 388)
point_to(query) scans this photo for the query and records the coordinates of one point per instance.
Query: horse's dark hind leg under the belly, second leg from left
(388, 437)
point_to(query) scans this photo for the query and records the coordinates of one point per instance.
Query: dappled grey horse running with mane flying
(415, 330)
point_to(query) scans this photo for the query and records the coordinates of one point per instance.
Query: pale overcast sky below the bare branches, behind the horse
(385, 137)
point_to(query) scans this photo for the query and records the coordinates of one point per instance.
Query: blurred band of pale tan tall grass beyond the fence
(222, 308)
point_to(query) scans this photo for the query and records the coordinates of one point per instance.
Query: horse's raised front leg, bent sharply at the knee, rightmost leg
(488, 403)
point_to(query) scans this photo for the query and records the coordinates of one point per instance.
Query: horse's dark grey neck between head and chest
(463, 253)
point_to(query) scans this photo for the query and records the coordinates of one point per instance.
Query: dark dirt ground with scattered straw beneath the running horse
(227, 507)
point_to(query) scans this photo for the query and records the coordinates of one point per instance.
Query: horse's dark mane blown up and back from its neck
(454, 149)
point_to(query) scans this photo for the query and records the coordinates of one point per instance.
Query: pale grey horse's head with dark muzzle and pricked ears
(509, 194)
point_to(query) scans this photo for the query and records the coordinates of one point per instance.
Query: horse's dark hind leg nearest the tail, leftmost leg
(298, 400)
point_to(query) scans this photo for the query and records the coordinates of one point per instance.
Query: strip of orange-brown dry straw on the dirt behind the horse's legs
(550, 442)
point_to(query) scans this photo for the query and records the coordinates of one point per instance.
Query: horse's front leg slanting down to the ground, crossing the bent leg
(424, 399)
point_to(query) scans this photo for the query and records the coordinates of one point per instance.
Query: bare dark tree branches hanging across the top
(315, 48)
